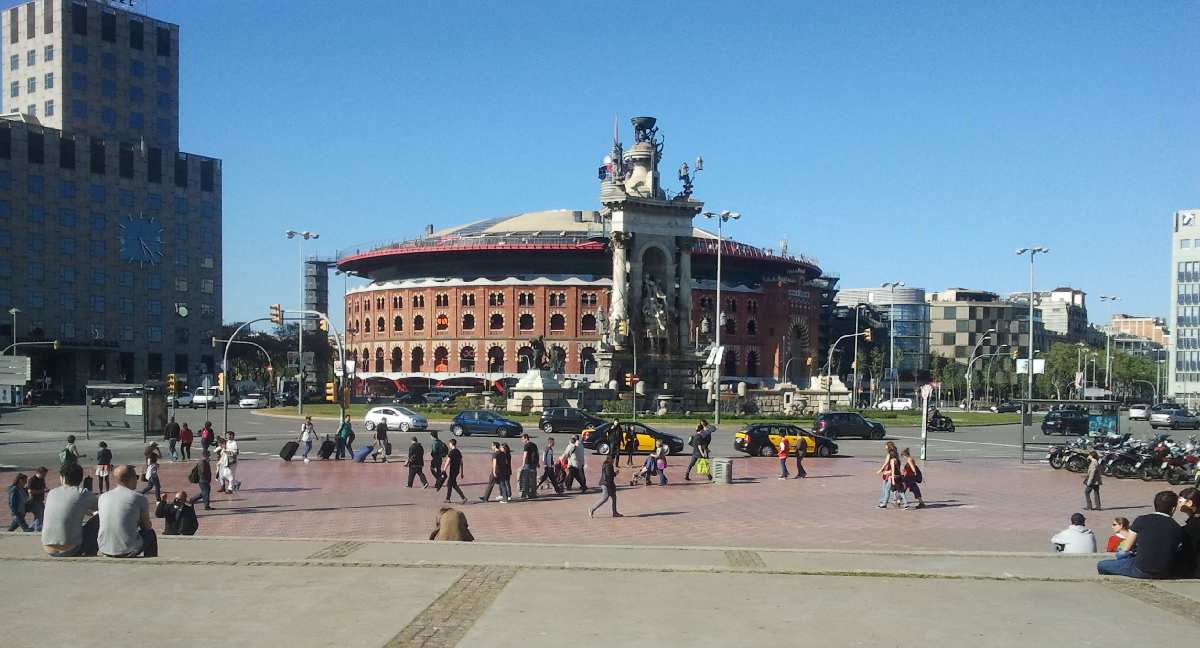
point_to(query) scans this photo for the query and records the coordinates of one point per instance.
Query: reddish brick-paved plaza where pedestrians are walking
(974, 506)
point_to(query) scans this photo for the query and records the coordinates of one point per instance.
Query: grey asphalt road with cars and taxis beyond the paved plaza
(34, 436)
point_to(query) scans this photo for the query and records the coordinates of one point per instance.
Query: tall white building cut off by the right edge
(1184, 345)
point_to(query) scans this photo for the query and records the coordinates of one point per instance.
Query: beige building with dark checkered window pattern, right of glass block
(961, 319)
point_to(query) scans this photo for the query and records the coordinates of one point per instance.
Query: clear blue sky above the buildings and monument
(915, 142)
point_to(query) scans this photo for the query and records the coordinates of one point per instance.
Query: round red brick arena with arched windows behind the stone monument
(463, 304)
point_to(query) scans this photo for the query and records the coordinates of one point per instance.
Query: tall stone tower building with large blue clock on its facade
(110, 235)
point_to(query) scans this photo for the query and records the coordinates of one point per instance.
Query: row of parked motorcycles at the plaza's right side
(1125, 458)
